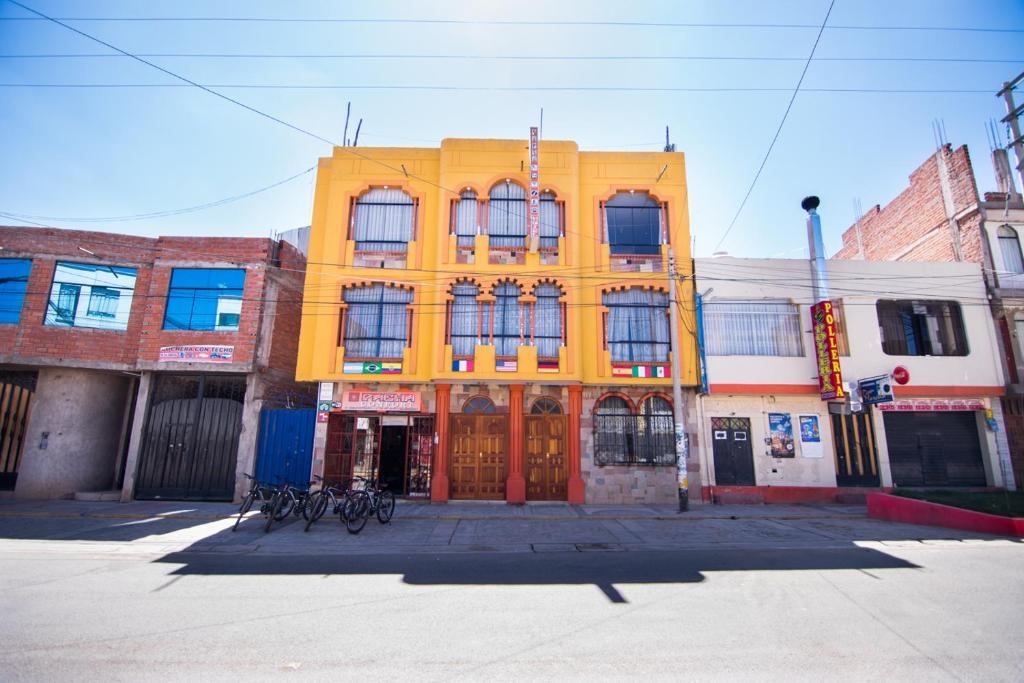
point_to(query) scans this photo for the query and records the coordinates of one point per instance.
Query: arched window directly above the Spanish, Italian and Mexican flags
(637, 326)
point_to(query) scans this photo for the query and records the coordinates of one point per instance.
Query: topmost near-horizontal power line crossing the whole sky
(506, 23)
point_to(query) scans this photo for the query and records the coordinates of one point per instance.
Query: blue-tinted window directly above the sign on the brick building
(205, 300)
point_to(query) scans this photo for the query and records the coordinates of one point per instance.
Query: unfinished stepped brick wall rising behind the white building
(914, 227)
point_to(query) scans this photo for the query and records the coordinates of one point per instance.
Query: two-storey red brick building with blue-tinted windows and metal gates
(141, 364)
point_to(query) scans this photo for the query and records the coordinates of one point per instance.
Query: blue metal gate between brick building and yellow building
(285, 450)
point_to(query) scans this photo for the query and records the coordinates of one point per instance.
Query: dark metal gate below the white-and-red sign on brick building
(191, 441)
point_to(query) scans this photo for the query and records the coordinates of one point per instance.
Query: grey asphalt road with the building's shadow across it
(921, 610)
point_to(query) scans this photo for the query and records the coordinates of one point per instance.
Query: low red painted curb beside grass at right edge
(900, 509)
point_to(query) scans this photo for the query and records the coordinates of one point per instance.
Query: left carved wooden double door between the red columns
(479, 456)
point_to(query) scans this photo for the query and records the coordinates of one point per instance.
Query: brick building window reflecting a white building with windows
(91, 295)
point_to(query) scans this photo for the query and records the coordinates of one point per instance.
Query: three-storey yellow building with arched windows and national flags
(472, 346)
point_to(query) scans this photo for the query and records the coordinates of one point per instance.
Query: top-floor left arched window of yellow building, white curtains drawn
(383, 221)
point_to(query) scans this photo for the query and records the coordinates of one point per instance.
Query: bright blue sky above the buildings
(95, 153)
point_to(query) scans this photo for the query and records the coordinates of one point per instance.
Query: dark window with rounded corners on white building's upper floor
(921, 328)
